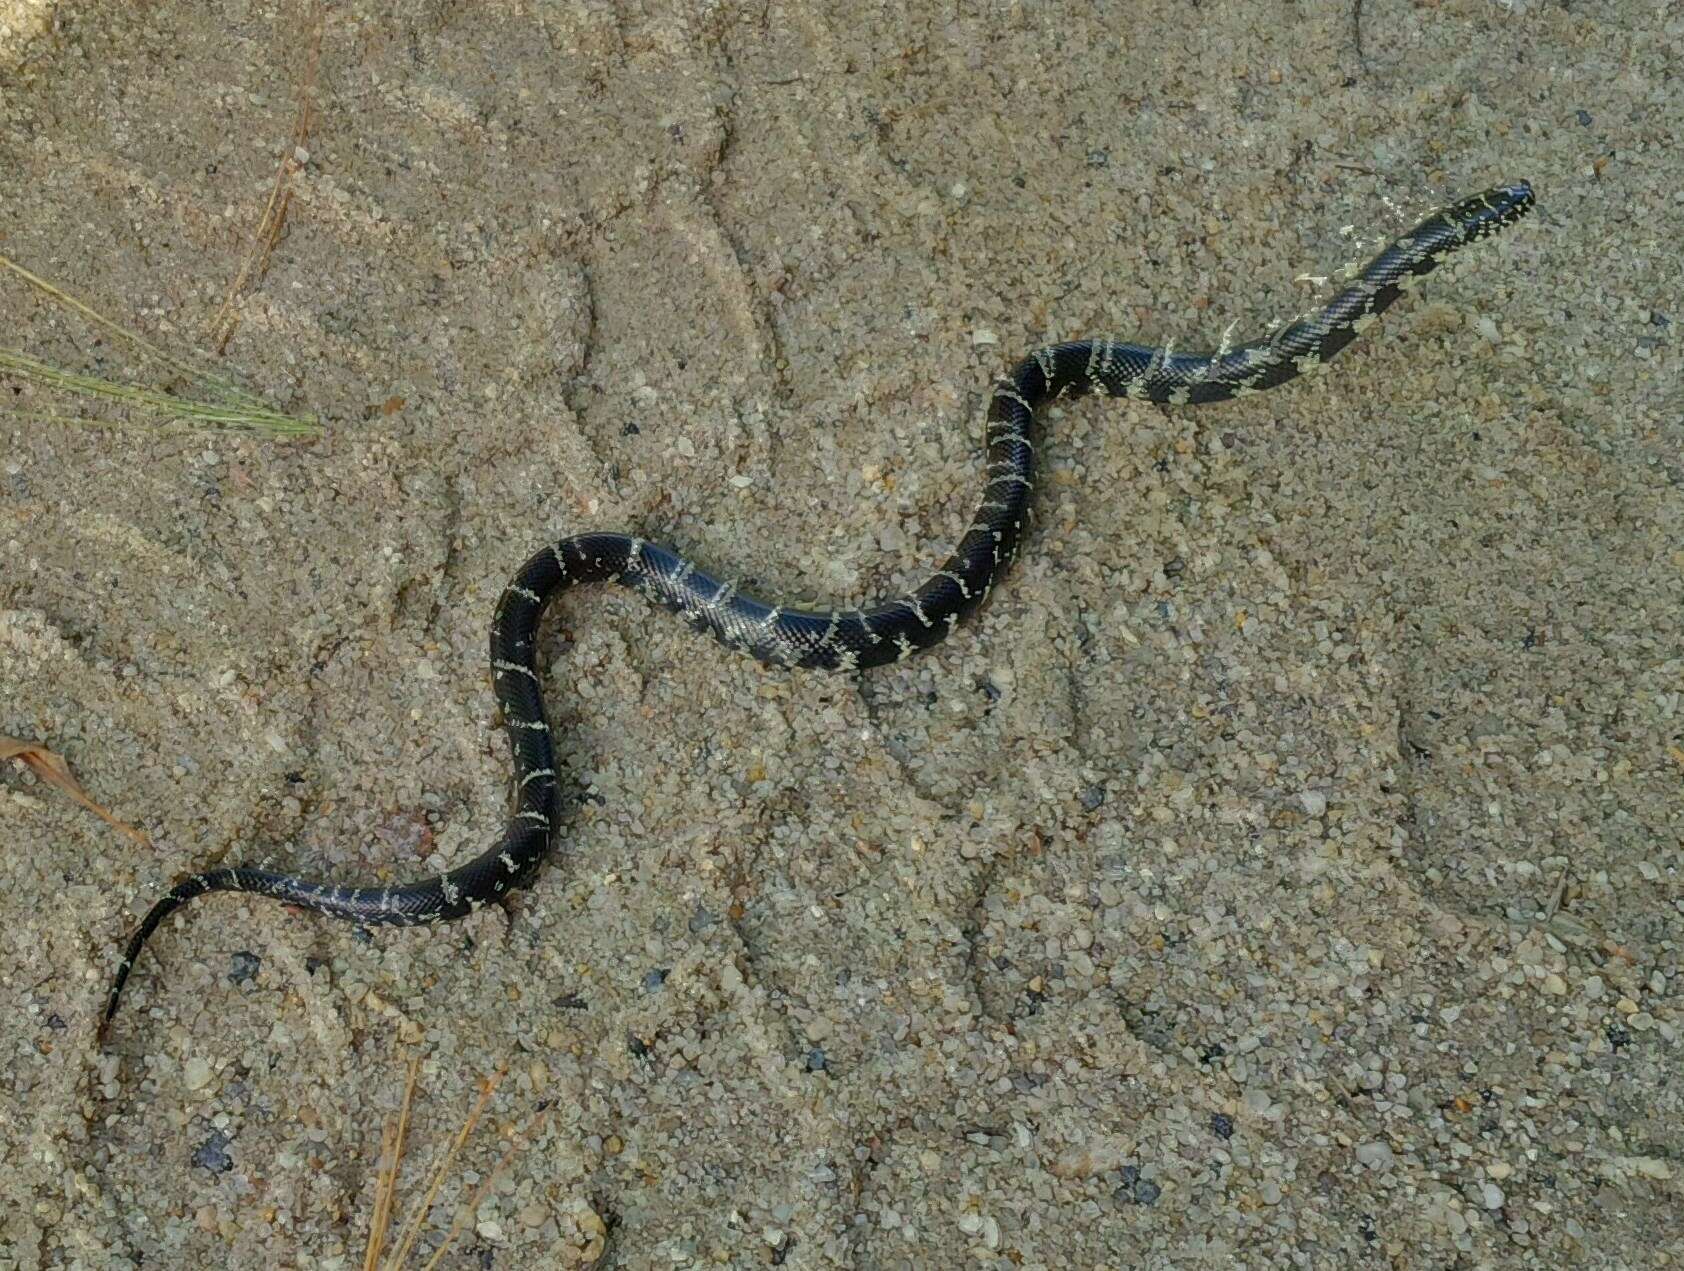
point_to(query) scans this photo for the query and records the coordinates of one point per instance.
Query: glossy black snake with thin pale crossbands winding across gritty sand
(838, 641)
